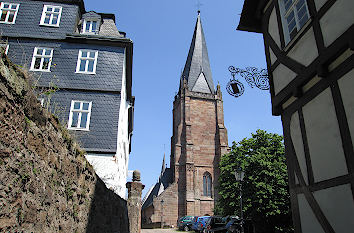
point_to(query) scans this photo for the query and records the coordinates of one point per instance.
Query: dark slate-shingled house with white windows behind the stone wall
(84, 56)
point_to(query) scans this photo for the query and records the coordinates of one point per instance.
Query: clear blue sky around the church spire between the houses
(161, 31)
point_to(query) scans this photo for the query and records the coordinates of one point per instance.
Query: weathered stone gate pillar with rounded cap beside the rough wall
(134, 202)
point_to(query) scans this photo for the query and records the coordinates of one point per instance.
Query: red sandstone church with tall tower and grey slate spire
(189, 185)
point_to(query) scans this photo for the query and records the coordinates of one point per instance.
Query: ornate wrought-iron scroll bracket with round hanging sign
(253, 76)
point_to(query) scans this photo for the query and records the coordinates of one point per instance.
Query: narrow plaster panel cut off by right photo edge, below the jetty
(346, 84)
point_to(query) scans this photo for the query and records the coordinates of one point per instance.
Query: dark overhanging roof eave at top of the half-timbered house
(251, 16)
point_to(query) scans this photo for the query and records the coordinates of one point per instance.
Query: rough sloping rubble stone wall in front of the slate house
(46, 184)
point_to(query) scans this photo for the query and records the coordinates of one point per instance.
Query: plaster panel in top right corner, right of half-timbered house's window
(337, 20)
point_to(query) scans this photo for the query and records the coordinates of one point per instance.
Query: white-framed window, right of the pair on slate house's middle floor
(86, 61)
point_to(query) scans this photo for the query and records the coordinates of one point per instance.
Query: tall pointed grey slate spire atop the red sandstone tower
(197, 70)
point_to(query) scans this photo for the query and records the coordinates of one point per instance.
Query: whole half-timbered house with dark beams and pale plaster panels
(309, 46)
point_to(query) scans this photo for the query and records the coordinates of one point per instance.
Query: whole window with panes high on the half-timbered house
(295, 14)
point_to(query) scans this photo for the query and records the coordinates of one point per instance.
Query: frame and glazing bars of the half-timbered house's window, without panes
(285, 14)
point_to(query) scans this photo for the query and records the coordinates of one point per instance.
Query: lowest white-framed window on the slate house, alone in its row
(80, 113)
